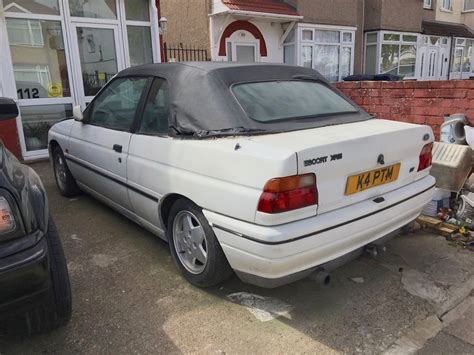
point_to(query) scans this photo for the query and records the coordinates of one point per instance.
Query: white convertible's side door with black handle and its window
(99, 144)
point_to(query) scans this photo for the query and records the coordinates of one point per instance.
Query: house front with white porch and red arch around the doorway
(233, 30)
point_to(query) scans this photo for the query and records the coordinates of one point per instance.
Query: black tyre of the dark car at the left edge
(56, 310)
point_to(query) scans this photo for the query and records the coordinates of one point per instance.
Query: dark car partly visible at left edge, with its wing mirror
(35, 294)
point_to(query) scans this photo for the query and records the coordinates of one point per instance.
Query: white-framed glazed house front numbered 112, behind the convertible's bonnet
(59, 53)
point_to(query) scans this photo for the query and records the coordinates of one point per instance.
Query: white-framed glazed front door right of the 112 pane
(98, 57)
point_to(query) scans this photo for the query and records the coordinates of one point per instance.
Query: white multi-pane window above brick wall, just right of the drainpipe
(391, 53)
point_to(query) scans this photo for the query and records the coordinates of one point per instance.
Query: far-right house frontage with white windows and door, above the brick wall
(426, 40)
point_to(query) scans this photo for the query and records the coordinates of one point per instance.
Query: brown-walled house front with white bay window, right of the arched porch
(329, 38)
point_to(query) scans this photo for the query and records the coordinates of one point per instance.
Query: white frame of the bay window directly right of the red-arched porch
(342, 30)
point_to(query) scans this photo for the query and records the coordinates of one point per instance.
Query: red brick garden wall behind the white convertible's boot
(423, 102)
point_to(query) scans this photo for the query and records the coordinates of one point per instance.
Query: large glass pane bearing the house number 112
(39, 61)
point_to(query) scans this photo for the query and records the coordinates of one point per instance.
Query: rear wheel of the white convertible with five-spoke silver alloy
(194, 246)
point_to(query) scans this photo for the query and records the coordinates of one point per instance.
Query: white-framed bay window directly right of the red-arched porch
(328, 49)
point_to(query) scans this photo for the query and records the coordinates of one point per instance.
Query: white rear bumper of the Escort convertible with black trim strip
(270, 256)
